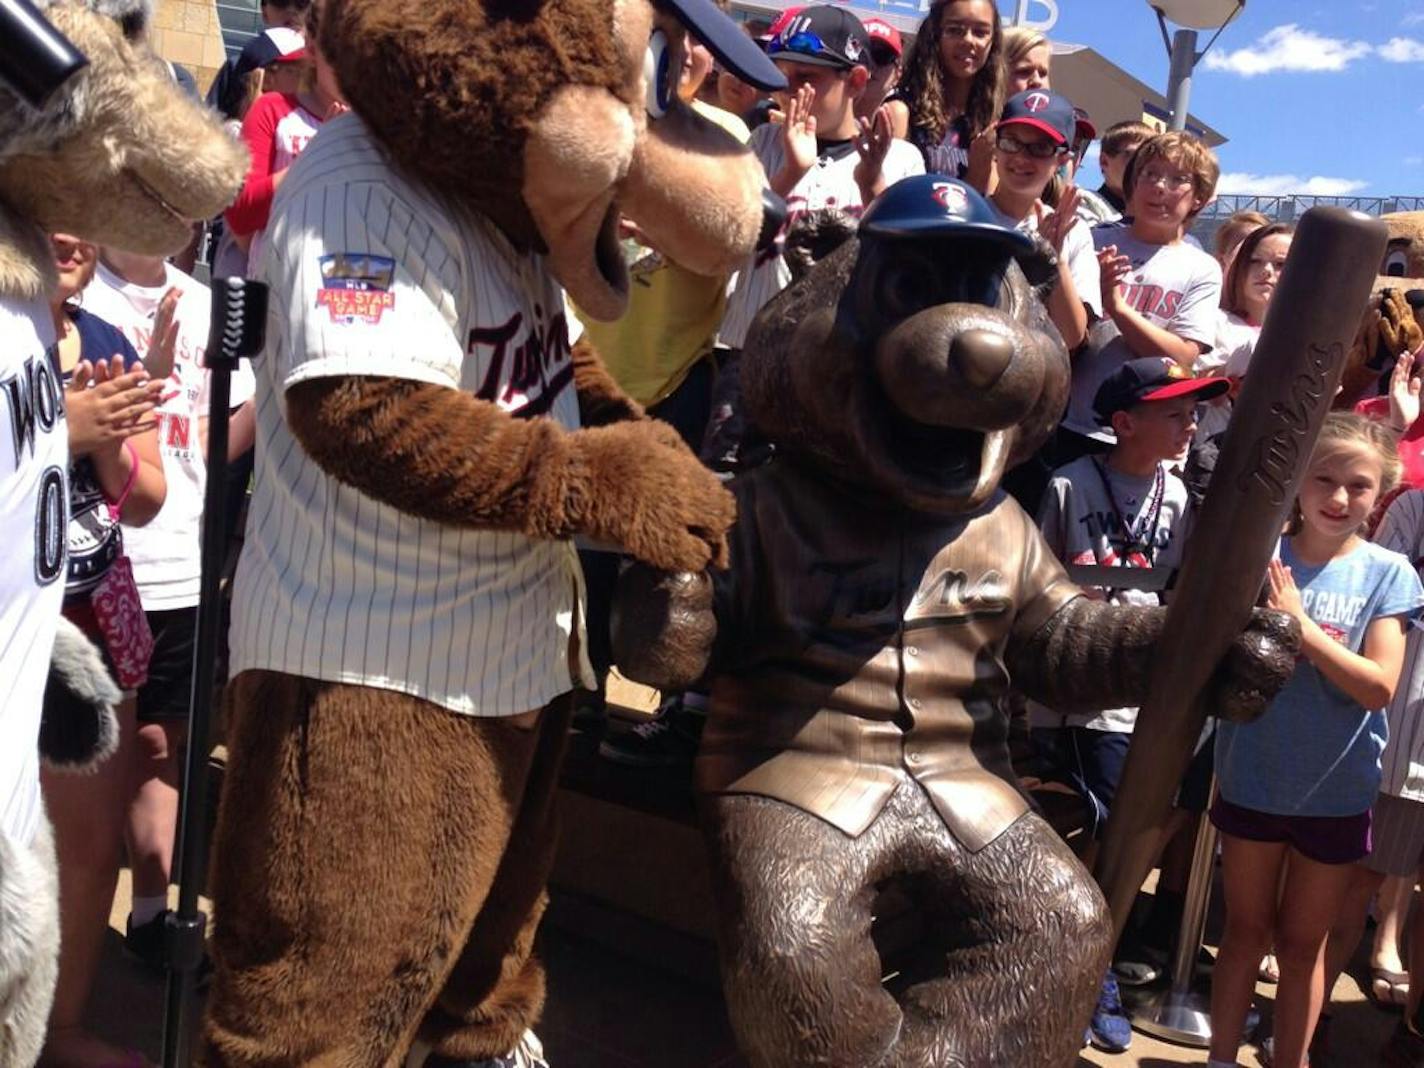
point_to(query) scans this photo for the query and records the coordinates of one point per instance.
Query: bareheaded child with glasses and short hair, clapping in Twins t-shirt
(1158, 290)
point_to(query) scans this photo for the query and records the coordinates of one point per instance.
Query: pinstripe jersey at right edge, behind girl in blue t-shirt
(1403, 761)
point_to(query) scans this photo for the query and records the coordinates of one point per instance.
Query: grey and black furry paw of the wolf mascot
(79, 728)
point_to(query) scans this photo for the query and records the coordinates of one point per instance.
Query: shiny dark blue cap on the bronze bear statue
(929, 206)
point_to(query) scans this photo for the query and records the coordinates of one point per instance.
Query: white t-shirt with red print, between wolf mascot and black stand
(166, 552)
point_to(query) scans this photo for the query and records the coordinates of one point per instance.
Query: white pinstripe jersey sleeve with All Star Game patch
(372, 287)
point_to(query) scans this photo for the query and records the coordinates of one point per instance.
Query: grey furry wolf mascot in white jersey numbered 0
(119, 156)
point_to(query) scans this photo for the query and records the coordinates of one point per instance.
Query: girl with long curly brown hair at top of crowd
(953, 90)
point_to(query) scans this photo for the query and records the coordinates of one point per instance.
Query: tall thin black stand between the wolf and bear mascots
(239, 323)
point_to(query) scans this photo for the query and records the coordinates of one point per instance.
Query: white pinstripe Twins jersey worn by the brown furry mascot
(374, 276)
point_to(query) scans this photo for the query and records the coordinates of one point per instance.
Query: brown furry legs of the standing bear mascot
(362, 875)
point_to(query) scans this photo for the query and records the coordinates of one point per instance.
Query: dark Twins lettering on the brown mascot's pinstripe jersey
(540, 365)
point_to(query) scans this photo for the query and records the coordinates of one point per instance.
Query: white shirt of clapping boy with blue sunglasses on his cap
(831, 183)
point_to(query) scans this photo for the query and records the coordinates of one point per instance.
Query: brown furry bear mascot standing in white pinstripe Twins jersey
(408, 604)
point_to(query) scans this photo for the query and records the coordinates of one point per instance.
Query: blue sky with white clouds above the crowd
(1315, 96)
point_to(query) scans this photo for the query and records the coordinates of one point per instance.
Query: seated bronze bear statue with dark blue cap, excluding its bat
(884, 595)
